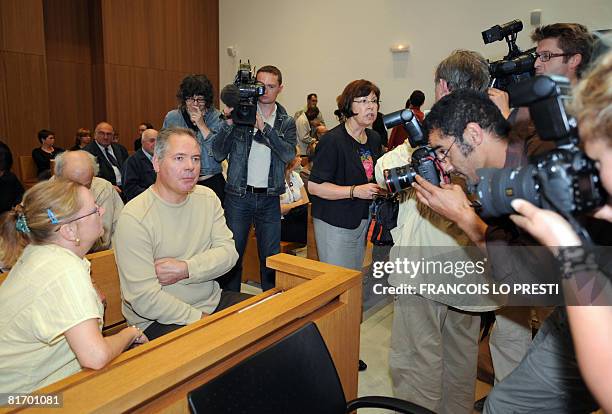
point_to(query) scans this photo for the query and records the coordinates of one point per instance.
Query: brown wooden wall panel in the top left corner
(21, 26)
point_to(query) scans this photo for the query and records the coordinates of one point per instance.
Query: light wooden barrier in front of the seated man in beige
(157, 376)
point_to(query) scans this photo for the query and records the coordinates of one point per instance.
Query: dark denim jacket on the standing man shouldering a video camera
(234, 143)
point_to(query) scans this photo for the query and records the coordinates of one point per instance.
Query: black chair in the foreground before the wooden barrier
(294, 375)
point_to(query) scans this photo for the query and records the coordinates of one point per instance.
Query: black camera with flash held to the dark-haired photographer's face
(423, 161)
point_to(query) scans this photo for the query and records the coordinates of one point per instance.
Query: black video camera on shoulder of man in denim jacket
(250, 90)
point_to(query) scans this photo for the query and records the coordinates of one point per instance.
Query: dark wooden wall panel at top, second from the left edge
(67, 35)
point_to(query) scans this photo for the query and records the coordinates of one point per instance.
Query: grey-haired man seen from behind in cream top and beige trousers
(434, 343)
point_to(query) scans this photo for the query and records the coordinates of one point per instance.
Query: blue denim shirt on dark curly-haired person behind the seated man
(208, 164)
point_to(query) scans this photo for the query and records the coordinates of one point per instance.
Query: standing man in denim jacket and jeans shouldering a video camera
(257, 156)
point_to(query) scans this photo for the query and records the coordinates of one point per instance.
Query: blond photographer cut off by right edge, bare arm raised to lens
(589, 324)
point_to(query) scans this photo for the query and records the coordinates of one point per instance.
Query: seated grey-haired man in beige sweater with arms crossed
(171, 243)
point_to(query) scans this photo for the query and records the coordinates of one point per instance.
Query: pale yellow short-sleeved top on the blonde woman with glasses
(47, 292)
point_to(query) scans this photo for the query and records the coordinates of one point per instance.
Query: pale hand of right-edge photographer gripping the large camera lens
(548, 227)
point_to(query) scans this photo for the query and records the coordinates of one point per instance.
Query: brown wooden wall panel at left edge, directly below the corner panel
(26, 92)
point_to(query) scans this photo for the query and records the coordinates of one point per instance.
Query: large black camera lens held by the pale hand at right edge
(498, 187)
